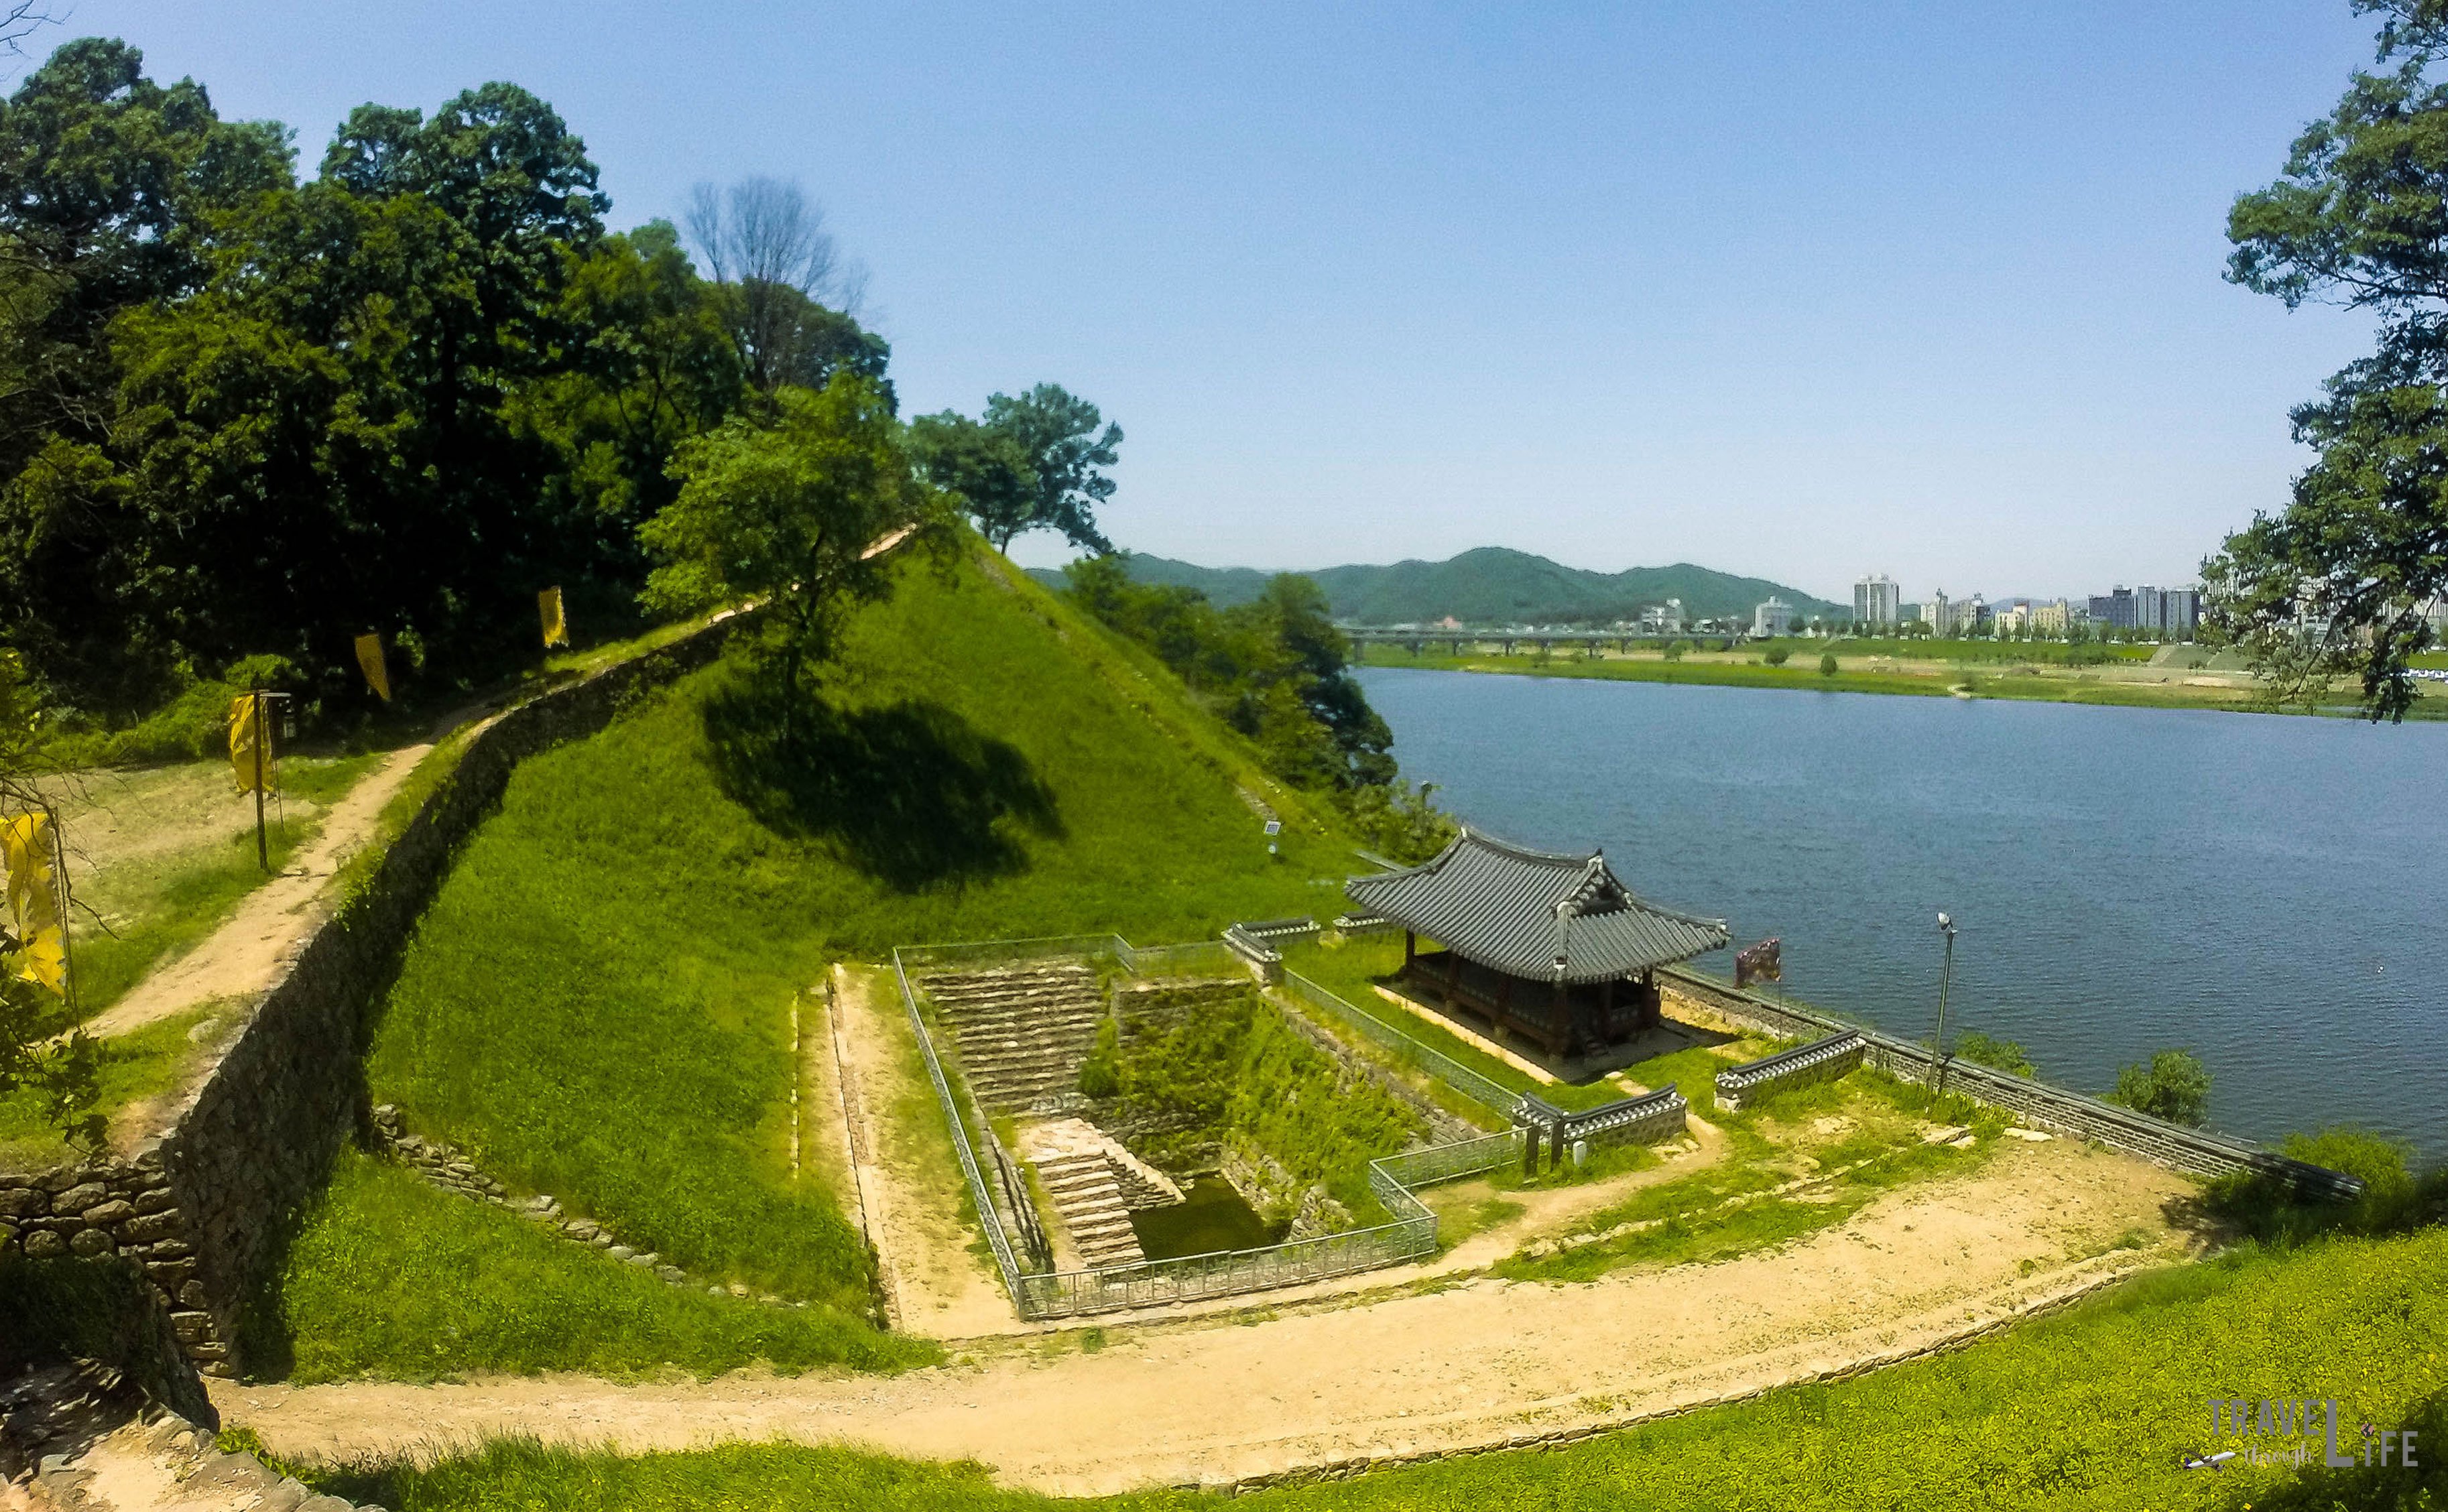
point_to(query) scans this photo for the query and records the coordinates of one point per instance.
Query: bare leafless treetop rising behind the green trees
(777, 263)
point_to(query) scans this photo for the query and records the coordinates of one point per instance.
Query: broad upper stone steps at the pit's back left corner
(1022, 1031)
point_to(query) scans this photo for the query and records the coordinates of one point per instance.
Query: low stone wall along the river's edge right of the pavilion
(2036, 1102)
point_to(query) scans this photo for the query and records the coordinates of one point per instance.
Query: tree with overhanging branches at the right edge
(2339, 581)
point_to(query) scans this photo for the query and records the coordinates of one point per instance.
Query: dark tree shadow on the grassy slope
(909, 791)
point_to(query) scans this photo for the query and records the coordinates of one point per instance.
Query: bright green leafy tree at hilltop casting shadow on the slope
(787, 513)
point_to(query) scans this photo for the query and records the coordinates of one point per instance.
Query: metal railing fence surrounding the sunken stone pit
(1411, 1232)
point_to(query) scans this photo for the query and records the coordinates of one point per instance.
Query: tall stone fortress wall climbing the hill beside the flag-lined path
(202, 1198)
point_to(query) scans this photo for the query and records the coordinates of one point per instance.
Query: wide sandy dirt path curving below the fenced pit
(1480, 1364)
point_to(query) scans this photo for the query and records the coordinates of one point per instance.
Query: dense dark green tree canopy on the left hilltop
(246, 415)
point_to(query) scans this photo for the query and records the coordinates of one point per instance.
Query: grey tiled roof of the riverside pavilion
(1534, 914)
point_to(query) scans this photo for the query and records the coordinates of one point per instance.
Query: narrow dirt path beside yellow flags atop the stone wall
(246, 955)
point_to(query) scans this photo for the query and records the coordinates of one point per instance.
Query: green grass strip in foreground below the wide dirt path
(2089, 1408)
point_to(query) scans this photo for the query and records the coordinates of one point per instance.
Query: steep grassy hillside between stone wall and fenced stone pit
(599, 1002)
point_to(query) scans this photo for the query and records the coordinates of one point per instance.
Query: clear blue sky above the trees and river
(1801, 290)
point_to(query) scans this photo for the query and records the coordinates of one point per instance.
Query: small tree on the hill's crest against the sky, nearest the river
(1064, 449)
